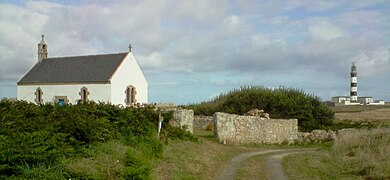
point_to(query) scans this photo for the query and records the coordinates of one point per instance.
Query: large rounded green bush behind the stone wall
(279, 103)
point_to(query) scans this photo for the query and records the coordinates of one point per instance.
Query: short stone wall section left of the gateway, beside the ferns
(183, 118)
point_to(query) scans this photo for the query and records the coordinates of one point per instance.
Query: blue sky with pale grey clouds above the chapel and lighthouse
(193, 50)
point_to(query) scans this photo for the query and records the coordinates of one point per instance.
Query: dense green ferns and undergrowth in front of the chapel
(90, 140)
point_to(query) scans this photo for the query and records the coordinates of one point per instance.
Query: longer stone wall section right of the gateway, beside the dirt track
(230, 128)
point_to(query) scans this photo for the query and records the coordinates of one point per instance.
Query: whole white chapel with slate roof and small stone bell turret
(110, 78)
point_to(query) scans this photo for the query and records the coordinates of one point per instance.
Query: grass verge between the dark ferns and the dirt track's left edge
(189, 160)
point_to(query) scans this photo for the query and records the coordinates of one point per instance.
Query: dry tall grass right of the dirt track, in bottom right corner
(361, 154)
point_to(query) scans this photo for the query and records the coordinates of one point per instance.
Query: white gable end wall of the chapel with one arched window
(128, 73)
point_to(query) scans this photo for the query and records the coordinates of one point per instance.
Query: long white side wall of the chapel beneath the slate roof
(97, 92)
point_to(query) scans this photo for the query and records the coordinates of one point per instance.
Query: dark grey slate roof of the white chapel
(77, 69)
